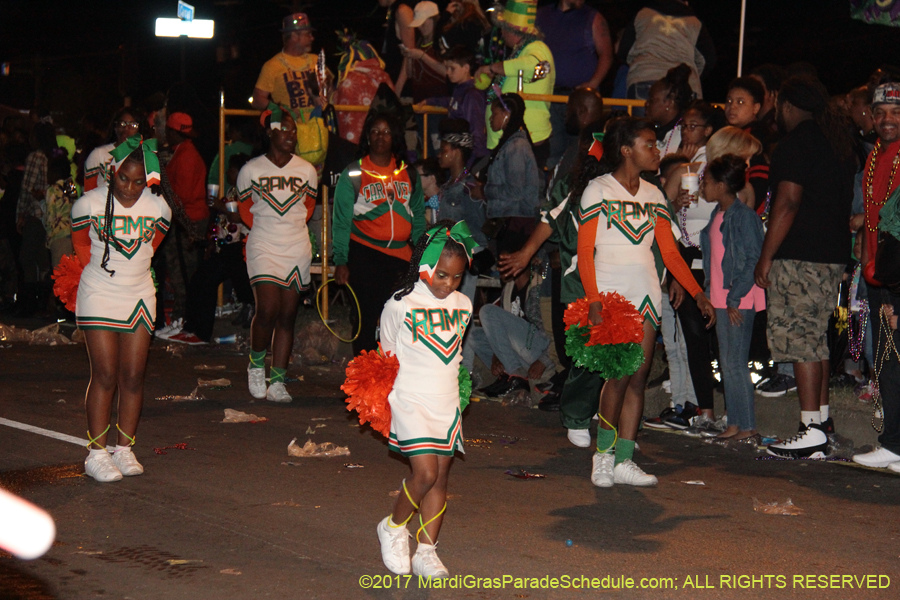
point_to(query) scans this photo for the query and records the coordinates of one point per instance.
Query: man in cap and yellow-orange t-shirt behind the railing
(289, 77)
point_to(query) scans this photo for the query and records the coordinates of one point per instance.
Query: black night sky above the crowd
(91, 58)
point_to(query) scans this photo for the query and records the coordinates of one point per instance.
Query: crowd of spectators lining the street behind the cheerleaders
(813, 166)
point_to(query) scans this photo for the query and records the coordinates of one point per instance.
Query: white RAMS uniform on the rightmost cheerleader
(623, 255)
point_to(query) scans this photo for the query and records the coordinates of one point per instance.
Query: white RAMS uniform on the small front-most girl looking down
(425, 334)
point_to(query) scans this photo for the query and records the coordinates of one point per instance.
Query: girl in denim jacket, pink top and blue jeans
(731, 244)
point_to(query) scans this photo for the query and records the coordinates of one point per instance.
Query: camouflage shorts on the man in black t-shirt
(801, 299)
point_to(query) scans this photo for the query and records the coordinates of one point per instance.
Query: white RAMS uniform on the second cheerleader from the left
(278, 247)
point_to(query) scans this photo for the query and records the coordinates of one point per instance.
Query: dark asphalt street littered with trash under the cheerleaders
(232, 516)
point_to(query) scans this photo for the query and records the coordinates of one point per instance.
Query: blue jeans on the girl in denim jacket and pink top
(734, 354)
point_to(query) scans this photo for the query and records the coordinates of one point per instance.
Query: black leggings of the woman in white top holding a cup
(697, 338)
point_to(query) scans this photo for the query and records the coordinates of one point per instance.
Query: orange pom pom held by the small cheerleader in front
(370, 378)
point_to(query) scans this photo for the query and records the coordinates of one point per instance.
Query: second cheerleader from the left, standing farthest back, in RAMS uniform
(277, 198)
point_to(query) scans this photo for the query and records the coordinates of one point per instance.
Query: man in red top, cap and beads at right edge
(880, 190)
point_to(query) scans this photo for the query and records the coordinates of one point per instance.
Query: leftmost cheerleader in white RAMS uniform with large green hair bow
(115, 232)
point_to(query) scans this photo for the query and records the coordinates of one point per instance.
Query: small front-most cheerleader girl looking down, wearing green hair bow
(423, 325)
